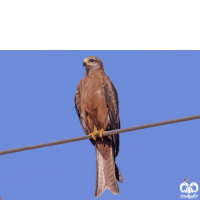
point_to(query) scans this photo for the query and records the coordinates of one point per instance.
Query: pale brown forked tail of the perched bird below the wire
(105, 174)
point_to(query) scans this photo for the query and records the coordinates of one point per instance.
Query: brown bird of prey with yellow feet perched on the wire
(96, 104)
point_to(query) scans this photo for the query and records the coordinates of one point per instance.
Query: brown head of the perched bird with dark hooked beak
(92, 63)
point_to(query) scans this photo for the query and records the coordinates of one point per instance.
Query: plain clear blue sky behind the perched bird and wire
(37, 91)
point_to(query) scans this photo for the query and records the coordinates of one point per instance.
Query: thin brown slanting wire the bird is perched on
(106, 133)
